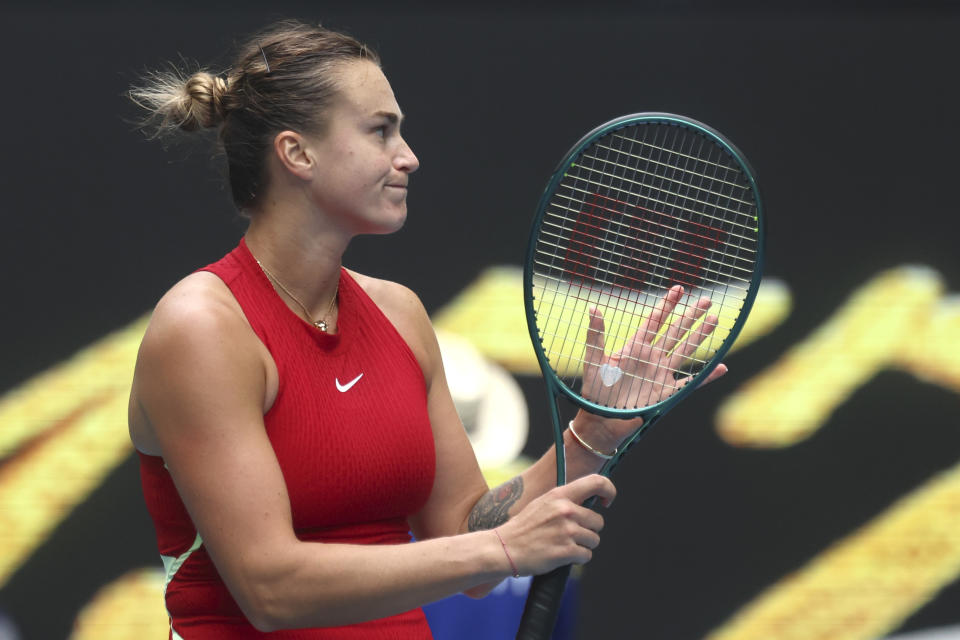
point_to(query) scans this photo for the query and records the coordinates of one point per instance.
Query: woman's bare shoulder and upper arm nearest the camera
(199, 387)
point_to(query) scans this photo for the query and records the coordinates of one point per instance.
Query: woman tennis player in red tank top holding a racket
(291, 416)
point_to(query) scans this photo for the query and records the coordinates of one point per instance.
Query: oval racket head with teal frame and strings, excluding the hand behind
(639, 204)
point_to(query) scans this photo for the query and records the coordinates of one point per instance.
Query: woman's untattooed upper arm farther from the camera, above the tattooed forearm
(458, 482)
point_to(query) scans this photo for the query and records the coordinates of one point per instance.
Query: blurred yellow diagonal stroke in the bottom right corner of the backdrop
(866, 585)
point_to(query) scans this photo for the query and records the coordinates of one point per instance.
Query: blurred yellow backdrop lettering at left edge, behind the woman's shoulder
(61, 433)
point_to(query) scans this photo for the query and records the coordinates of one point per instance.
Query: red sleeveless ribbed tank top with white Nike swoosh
(351, 432)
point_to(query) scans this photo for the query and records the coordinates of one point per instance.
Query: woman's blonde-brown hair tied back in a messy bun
(282, 78)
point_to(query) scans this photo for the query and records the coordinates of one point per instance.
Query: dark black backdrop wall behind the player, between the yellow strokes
(848, 114)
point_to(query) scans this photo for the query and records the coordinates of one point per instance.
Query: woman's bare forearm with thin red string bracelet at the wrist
(321, 584)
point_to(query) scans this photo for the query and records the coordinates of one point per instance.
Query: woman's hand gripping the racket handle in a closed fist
(556, 529)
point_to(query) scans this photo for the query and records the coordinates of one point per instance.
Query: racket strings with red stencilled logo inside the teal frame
(633, 215)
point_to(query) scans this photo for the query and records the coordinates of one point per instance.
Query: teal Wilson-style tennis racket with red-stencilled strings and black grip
(643, 262)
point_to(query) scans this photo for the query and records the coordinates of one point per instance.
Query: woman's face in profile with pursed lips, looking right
(363, 164)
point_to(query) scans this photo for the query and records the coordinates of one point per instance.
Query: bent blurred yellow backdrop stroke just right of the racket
(886, 324)
